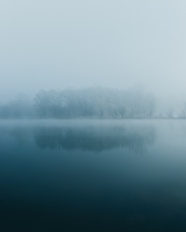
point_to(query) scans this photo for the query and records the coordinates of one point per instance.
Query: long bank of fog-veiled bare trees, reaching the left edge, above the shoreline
(82, 103)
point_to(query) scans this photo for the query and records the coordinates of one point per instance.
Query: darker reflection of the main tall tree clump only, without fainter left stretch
(95, 138)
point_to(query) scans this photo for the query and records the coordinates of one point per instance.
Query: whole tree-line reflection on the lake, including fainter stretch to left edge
(95, 138)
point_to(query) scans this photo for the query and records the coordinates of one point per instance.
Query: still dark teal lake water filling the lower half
(92, 176)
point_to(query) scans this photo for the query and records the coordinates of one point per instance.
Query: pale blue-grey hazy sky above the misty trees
(73, 43)
